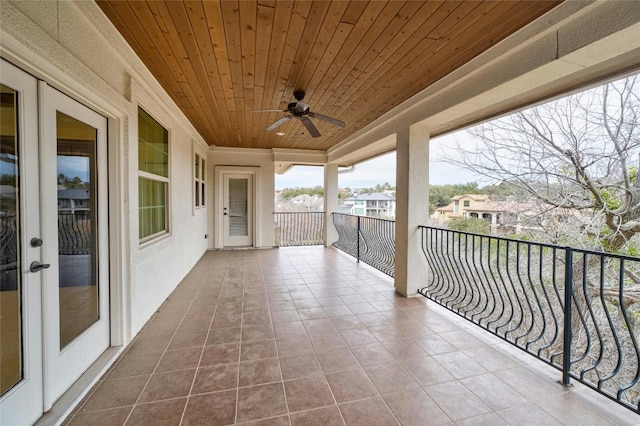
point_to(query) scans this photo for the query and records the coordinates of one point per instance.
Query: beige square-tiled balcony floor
(307, 336)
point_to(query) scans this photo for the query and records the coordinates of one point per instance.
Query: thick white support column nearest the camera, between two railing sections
(412, 207)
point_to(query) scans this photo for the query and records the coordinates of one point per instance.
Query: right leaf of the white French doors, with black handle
(73, 154)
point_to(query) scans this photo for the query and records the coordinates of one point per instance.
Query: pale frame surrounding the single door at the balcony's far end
(253, 173)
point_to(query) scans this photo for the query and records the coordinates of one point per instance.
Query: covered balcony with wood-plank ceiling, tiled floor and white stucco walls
(179, 114)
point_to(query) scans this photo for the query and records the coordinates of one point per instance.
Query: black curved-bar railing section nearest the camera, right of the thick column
(576, 310)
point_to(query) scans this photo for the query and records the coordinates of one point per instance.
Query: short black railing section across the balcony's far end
(299, 228)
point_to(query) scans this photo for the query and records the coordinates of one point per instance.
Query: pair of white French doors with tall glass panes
(55, 282)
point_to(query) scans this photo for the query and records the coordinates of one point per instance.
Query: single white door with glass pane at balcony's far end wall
(237, 210)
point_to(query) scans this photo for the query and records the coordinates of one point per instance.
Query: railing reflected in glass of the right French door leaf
(74, 233)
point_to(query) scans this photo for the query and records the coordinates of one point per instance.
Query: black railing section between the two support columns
(368, 239)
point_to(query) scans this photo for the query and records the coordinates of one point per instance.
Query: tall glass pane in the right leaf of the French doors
(77, 231)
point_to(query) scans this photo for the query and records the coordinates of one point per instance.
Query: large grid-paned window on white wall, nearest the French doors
(153, 177)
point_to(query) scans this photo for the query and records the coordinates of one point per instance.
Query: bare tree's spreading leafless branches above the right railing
(579, 153)
